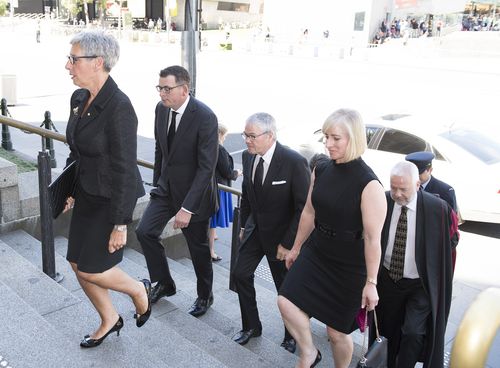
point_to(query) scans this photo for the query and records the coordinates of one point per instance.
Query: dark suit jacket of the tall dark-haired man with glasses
(185, 173)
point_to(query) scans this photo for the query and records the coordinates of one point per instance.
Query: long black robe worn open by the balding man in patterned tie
(434, 265)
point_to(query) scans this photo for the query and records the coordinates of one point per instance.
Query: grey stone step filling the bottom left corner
(28, 340)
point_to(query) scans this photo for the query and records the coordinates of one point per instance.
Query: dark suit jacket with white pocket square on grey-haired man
(277, 212)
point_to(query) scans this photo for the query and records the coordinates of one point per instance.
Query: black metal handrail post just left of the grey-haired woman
(47, 231)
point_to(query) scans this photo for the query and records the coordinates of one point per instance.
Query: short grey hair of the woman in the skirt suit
(98, 43)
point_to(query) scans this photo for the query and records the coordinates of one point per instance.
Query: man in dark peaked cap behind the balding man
(429, 183)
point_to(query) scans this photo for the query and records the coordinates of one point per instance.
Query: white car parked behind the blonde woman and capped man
(466, 159)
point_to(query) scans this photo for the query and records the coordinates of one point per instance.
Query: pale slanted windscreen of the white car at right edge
(482, 147)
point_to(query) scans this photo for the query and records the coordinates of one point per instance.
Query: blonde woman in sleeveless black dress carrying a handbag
(336, 272)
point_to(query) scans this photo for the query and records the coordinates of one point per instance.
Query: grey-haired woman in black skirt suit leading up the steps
(102, 136)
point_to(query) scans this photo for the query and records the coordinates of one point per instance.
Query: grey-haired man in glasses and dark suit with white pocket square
(274, 191)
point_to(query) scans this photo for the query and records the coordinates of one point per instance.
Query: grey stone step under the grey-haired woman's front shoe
(150, 352)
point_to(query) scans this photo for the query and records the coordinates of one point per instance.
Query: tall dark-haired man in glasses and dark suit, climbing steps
(185, 187)
